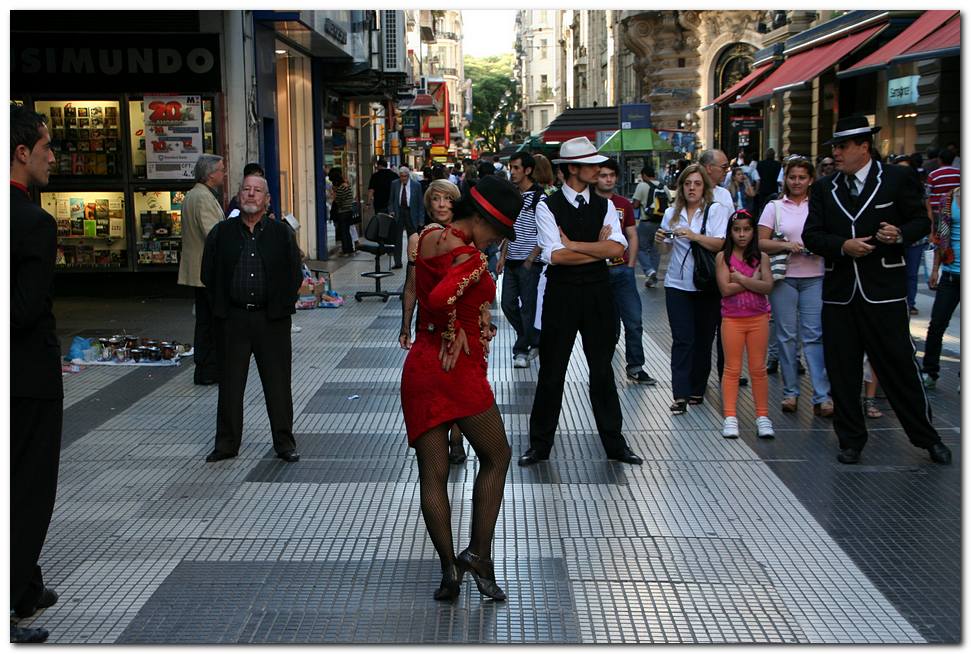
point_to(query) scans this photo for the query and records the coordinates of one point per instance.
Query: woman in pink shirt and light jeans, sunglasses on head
(797, 300)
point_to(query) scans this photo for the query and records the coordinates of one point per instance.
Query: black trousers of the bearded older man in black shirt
(246, 333)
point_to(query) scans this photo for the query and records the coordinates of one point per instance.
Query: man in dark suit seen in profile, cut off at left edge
(36, 406)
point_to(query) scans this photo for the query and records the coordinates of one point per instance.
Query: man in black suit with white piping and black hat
(861, 219)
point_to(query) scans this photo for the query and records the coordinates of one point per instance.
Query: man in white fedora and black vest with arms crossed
(577, 231)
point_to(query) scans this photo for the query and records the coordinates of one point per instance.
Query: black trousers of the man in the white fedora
(569, 309)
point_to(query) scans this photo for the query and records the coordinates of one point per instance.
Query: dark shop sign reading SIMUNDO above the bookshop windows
(97, 63)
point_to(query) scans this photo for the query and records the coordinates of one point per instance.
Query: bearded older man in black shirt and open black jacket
(251, 269)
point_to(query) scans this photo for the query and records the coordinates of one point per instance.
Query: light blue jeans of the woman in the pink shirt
(797, 305)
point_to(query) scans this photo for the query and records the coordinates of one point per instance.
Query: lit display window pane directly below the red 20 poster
(158, 227)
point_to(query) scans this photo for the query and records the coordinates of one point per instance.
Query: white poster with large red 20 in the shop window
(173, 135)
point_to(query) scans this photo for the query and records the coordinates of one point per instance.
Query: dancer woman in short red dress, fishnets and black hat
(444, 378)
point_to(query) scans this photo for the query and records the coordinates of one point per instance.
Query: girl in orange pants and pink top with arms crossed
(745, 280)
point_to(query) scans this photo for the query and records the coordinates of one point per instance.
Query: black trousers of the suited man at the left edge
(35, 452)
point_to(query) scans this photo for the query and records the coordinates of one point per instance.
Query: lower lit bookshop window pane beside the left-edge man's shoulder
(90, 228)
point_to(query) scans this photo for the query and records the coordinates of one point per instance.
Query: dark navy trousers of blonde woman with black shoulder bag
(693, 317)
